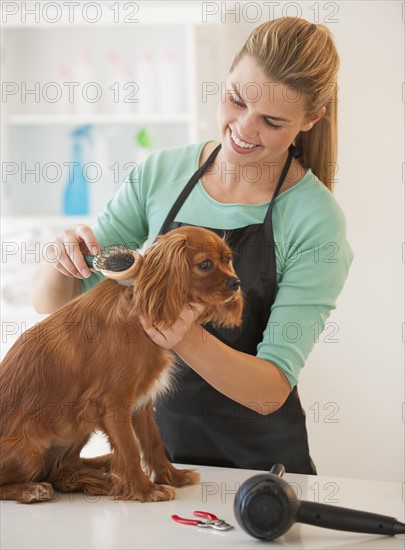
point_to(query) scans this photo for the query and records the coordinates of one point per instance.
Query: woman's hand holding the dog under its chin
(169, 338)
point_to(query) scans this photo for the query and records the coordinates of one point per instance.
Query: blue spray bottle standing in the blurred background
(76, 193)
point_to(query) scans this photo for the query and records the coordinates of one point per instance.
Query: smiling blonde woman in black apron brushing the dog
(266, 184)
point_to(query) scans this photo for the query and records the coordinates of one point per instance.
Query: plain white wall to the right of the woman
(363, 374)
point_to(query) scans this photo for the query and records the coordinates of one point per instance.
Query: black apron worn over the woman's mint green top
(200, 425)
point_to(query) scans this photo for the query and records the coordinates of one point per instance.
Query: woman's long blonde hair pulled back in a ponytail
(296, 53)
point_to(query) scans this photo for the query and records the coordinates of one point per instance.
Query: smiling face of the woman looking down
(259, 118)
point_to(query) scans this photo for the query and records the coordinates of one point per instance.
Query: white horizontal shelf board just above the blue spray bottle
(132, 119)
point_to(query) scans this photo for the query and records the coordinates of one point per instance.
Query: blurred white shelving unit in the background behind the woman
(36, 130)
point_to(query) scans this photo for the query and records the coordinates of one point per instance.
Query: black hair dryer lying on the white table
(266, 506)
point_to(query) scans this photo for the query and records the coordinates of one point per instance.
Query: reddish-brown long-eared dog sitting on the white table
(91, 366)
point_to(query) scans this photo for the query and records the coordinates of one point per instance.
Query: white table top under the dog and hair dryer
(77, 521)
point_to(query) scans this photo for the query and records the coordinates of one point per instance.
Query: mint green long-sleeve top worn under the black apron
(313, 255)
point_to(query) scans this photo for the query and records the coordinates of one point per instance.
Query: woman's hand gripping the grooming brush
(69, 248)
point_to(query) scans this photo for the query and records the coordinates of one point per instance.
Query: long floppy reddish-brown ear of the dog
(161, 288)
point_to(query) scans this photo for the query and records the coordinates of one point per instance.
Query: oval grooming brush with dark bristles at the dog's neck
(115, 262)
